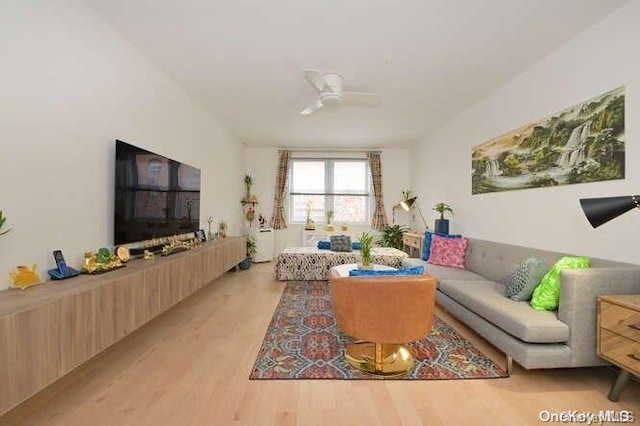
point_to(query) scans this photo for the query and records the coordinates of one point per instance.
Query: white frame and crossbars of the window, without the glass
(329, 169)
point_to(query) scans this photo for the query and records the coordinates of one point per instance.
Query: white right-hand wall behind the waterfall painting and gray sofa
(600, 59)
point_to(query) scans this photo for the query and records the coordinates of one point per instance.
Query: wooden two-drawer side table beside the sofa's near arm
(619, 337)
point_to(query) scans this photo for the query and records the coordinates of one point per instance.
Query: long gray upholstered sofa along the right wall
(533, 339)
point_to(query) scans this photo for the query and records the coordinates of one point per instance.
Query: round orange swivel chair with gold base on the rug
(383, 313)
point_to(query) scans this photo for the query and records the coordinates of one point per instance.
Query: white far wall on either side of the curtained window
(262, 164)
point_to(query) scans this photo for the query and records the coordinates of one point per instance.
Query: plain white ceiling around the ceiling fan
(430, 59)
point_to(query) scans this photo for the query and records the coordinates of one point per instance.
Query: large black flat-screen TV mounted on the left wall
(155, 196)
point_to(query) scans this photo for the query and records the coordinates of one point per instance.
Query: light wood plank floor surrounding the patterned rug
(191, 365)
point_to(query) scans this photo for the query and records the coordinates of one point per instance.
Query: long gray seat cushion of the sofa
(486, 299)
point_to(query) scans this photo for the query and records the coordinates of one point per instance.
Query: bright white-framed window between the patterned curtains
(341, 185)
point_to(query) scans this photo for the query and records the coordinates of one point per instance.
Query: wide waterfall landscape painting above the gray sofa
(584, 143)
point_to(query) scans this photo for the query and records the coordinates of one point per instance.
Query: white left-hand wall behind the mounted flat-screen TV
(70, 87)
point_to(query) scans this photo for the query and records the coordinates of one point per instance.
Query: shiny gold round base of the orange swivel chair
(381, 359)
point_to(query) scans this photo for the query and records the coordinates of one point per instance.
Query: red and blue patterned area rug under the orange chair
(303, 342)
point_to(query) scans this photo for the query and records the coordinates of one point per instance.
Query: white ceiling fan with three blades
(330, 94)
